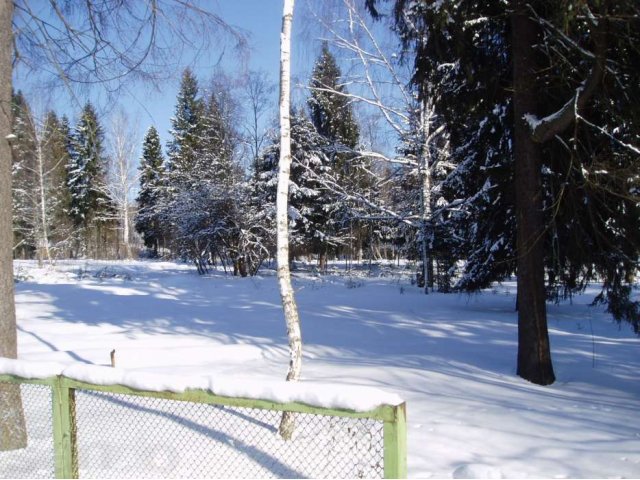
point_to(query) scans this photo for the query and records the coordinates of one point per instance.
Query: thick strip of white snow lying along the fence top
(317, 394)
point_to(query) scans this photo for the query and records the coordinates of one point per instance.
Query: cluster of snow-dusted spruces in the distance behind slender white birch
(200, 204)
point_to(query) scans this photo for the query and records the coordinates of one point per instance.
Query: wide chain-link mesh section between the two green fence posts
(128, 436)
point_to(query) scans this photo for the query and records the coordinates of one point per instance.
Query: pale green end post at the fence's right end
(395, 444)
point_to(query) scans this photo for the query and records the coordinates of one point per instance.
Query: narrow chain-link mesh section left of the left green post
(37, 459)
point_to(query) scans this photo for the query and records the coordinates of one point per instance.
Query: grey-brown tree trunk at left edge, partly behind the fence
(13, 433)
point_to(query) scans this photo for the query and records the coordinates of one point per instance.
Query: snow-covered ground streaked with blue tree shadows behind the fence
(451, 357)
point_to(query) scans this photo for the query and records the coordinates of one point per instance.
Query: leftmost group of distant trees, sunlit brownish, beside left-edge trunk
(62, 208)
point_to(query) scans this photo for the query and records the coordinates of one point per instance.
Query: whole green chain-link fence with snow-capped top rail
(89, 421)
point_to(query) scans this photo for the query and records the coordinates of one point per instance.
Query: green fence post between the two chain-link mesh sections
(64, 431)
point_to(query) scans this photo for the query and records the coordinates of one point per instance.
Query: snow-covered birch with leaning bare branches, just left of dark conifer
(380, 83)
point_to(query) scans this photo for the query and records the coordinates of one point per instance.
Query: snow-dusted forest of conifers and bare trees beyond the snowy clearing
(510, 150)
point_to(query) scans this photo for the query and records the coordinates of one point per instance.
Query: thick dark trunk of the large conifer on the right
(534, 354)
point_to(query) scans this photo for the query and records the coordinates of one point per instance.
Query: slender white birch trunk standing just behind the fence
(292, 319)
